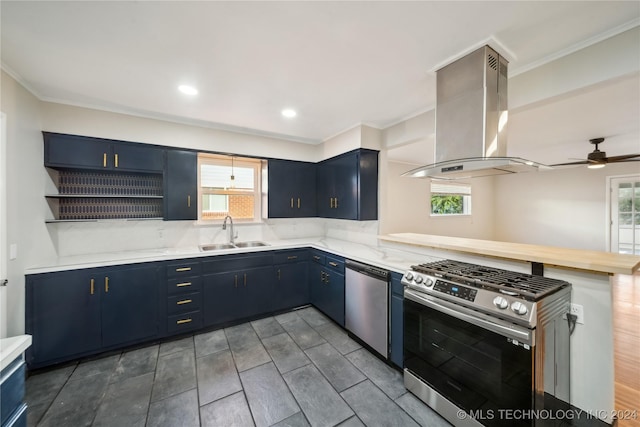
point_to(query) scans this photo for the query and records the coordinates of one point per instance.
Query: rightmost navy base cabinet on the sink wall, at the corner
(292, 284)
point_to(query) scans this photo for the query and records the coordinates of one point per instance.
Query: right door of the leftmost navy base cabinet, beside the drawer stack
(130, 304)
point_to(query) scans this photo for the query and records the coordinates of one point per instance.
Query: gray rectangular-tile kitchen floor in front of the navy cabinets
(294, 369)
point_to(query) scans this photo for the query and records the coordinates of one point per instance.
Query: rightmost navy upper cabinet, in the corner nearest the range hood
(347, 186)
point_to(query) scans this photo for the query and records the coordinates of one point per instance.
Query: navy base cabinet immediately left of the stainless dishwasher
(326, 281)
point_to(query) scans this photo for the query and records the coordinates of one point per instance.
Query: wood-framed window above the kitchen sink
(228, 185)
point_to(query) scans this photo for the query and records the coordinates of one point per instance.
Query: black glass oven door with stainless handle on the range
(479, 363)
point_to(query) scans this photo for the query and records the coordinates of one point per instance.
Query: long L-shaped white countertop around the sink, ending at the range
(385, 257)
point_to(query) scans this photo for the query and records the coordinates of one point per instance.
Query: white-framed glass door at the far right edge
(625, 214)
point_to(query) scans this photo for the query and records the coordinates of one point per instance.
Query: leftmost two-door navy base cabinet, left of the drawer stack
(76, 313)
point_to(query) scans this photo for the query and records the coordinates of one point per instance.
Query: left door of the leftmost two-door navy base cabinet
(63, 315)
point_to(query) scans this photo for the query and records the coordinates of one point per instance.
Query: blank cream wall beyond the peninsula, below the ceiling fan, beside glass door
(564, 208)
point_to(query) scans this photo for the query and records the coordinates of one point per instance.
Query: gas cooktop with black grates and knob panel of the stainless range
(505, 294)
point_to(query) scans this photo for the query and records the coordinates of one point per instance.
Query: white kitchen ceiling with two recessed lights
(338, 64)
